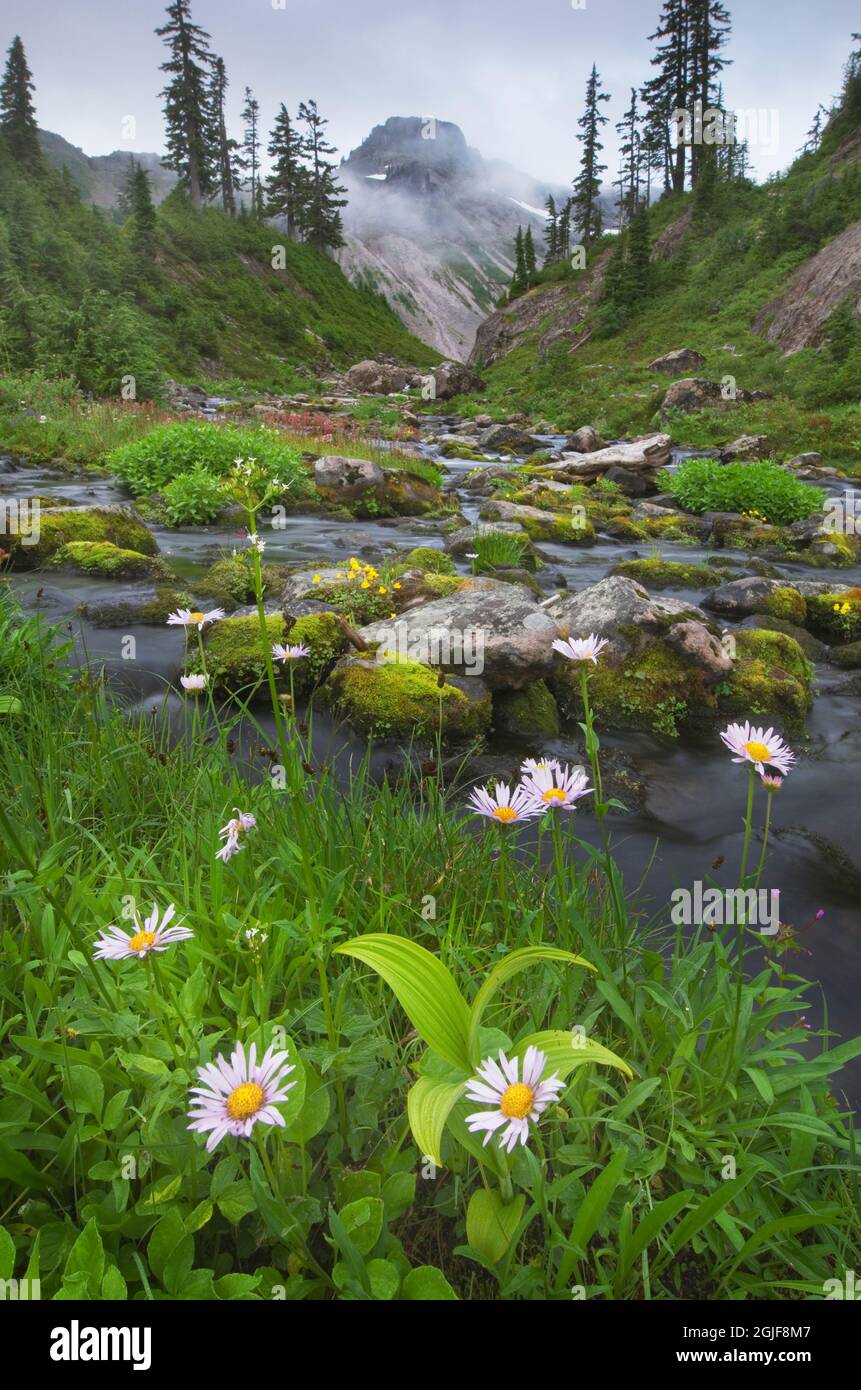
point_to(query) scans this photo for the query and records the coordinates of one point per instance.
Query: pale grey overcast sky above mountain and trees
(511, 73)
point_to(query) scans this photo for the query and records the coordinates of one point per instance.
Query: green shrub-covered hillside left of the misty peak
(77, 297)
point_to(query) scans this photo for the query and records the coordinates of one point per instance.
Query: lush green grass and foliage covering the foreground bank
(624, 1191)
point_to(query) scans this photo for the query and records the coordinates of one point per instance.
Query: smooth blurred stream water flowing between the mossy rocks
(691, 815)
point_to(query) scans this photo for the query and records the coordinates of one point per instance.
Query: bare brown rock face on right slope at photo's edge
(796, 318)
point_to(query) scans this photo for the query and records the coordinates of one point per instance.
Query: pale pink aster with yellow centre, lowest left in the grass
(239, 1095)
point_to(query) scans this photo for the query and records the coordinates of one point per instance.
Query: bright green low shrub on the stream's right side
(763, 489)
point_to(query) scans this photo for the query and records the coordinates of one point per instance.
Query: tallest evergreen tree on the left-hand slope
(187, 102)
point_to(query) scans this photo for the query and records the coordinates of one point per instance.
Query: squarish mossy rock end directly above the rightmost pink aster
(771, 679)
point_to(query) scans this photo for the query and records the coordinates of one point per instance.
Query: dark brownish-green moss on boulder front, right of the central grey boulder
(656, 692)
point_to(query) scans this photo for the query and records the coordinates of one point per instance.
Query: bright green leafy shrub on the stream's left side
(170, 451)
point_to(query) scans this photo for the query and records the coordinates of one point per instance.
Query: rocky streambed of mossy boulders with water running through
(709, 619)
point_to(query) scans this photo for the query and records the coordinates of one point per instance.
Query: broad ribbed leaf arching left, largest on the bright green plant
(425, 990)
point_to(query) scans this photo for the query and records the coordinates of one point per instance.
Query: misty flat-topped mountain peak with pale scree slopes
(430, 224)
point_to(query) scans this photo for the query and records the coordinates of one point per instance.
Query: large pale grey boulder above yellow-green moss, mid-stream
(492, 630)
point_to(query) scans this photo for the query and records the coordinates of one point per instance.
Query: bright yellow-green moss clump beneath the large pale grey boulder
(404, 700)
